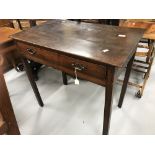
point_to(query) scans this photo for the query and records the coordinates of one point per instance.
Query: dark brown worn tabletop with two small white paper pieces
(85, 40)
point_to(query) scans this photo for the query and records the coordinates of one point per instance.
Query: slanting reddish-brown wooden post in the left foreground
(6, 108)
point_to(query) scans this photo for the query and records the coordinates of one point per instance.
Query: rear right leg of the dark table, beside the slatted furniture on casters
(125, 83)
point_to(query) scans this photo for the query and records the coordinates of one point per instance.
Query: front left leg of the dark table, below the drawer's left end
(32, 81)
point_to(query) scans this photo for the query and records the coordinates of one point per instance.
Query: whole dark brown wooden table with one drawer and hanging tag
(97, 52)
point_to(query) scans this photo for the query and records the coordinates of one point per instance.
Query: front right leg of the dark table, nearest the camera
(108, 99)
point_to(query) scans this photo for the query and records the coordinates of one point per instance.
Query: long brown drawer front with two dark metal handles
(85, 70)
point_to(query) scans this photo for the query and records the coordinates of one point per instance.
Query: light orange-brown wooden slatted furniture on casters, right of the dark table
(143, 65)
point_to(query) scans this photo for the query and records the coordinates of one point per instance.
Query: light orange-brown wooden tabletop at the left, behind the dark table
(5, 32)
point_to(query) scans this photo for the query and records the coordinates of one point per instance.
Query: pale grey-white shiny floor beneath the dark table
(78, 109)
